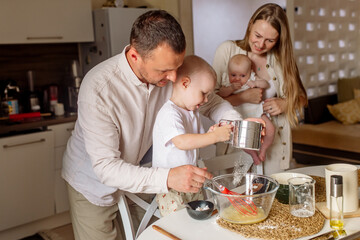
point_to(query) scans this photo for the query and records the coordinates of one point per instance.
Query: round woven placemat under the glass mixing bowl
(279, 225)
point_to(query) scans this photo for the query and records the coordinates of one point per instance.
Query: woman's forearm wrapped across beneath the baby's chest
(252, 95)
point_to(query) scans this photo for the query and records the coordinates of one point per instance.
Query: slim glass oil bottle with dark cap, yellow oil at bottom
(336, 202)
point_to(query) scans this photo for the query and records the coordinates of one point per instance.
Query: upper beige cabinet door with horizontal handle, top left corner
(44, 21)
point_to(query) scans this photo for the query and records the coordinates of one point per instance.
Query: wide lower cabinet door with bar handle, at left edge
(26, 178)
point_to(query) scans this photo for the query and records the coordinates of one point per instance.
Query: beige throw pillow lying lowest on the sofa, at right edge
(347, 112)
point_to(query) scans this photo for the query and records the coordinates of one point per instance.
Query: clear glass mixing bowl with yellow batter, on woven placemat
(257, 189)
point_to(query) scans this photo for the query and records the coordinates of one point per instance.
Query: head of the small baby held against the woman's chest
(239, 68)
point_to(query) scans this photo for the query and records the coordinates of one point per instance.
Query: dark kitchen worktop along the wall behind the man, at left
(8, 128)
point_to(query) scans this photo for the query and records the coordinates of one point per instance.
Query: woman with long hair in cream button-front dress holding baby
(268, 44)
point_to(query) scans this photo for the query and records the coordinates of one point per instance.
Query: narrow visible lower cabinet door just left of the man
(62, 132)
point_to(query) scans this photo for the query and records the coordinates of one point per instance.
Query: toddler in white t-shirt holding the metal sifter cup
(178, 132)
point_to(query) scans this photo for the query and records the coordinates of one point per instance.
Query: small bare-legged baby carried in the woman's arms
(239, 78)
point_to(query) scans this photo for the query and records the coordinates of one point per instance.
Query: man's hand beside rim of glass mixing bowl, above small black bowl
(187, 178)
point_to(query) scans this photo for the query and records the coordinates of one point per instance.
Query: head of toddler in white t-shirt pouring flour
(195, 80)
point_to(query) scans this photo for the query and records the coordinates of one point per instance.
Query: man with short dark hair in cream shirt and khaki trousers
(117, 107)
